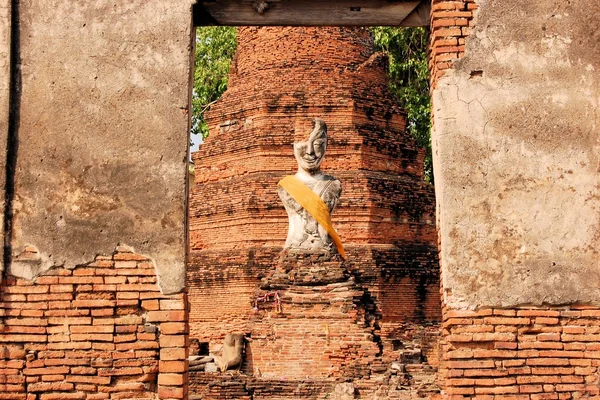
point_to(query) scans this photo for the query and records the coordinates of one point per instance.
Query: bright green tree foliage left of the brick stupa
(215, 48)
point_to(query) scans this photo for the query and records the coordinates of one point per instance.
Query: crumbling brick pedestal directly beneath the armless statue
(321, 326)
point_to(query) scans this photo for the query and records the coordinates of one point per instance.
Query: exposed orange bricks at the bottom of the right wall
(524, 353)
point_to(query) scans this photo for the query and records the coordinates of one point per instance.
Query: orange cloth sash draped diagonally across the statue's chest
(315, 206)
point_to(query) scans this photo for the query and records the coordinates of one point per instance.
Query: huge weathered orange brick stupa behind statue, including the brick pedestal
(370, 319)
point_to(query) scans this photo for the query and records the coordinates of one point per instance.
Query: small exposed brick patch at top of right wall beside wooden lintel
(451, 24)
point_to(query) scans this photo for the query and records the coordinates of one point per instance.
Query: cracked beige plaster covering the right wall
(516, 152)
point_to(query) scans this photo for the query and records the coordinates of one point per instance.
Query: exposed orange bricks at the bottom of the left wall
(99, 331)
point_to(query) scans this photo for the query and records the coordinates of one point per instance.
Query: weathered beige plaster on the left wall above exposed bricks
(102, 140)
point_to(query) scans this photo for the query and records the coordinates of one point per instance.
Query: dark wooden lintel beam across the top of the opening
(312, 12)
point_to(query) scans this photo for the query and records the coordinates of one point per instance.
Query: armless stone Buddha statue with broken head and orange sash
(310, 196)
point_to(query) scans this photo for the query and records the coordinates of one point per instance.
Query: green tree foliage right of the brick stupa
(409, 80)
